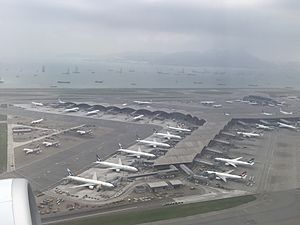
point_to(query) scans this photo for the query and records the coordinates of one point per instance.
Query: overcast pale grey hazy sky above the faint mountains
(41, 28)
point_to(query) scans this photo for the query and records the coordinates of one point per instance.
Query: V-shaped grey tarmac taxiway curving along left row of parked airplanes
(48, 171)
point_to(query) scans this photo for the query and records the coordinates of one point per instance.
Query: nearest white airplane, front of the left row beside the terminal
(90, 183)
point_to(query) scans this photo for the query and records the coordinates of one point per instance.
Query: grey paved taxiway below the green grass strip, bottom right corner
(276, 208)
